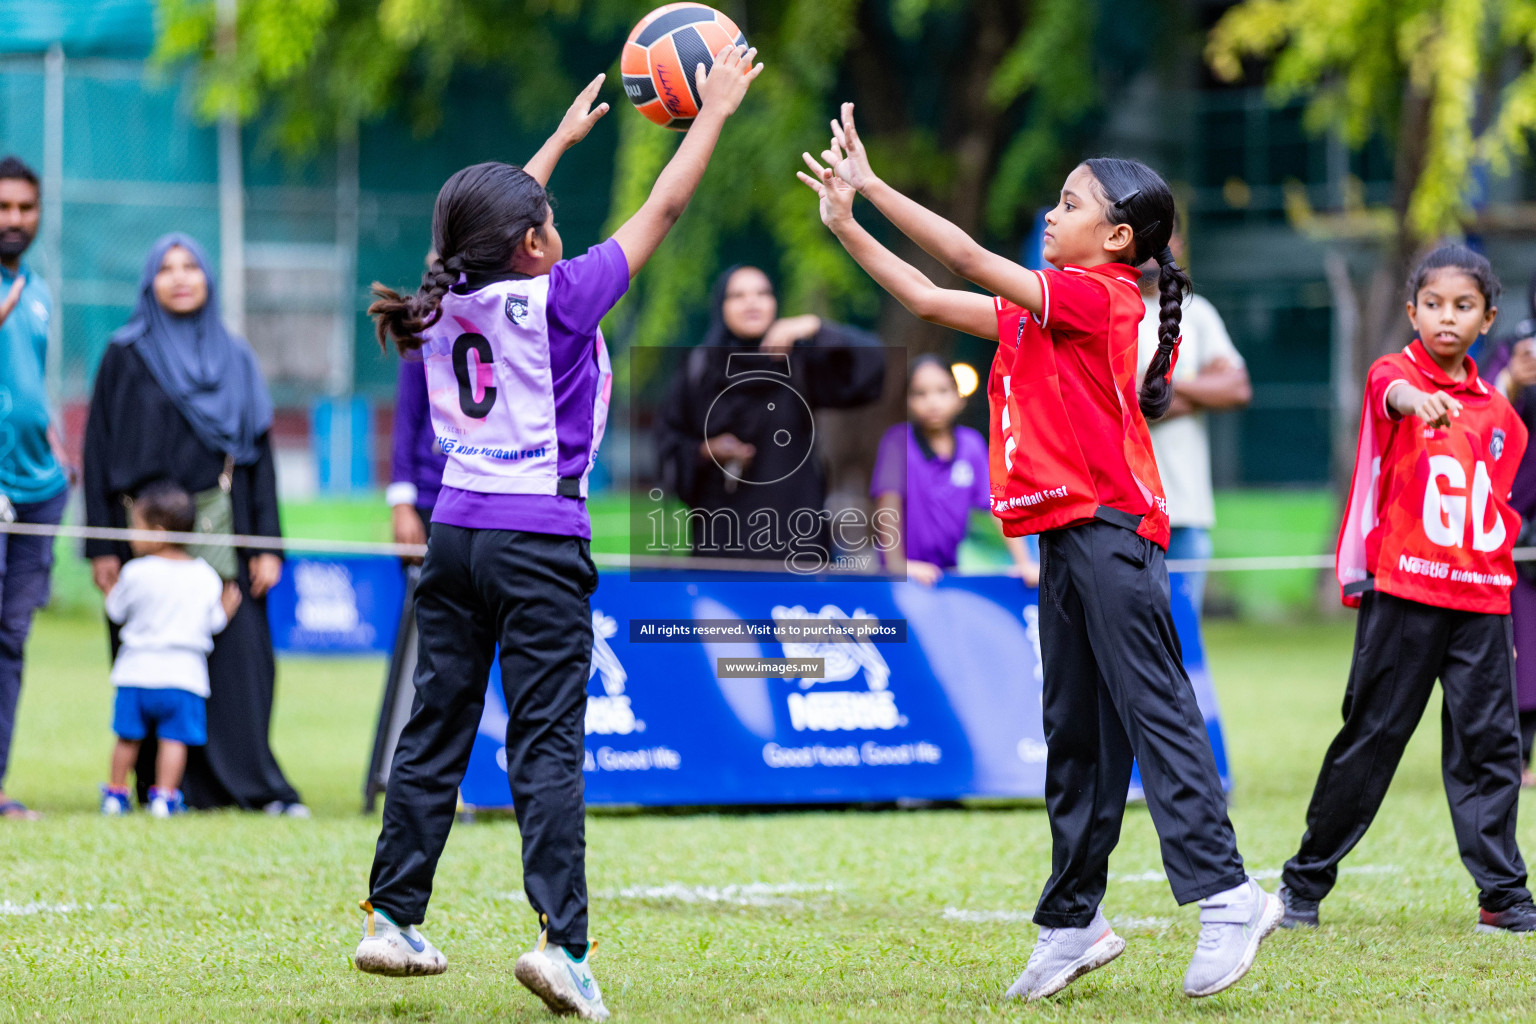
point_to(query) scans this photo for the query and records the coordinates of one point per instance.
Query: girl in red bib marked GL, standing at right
(1428, 555)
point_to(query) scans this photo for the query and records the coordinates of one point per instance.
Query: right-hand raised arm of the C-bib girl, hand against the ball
(721, 93)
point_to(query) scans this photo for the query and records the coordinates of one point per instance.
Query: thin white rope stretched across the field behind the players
(1254, 564)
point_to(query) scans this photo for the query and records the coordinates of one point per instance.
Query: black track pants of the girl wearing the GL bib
(1400, 649)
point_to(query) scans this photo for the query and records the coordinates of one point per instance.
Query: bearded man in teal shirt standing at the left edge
(33, 484)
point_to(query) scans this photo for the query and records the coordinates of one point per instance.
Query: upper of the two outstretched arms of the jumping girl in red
(941, 239)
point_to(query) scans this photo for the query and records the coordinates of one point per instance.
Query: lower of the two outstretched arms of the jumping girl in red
(962, 311)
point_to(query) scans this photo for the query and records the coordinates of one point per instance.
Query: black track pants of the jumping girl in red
(1116, 692)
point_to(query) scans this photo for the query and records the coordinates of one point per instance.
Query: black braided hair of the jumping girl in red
(1137, 196)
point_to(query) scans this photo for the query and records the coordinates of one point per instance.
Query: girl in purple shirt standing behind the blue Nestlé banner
(933, 472)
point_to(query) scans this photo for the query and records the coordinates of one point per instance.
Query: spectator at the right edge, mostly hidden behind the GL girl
(1512, 366)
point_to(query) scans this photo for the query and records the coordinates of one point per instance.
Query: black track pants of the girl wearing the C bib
(528, 592)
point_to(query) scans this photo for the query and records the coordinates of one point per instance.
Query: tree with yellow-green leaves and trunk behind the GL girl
(1449, 84)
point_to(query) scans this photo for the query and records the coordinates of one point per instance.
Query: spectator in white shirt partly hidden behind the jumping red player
(1211, 375)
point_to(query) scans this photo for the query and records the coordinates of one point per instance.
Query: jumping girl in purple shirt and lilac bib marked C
(518, 380)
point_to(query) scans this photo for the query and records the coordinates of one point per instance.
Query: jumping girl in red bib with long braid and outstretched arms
(1071, 460)
